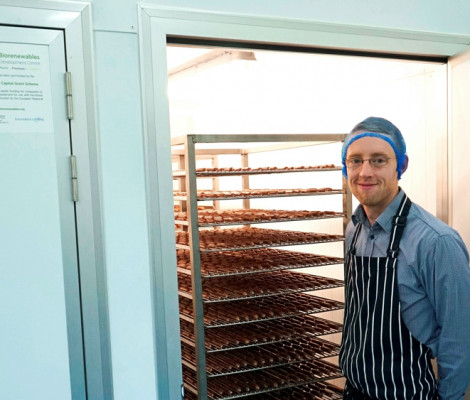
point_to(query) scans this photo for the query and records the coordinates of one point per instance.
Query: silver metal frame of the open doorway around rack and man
(156, 26)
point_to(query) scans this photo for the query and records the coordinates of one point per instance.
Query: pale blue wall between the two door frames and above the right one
(120, 128)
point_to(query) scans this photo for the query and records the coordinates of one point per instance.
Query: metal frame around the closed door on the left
(74, 18)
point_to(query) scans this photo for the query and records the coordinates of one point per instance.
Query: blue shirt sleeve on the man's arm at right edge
(447, 281)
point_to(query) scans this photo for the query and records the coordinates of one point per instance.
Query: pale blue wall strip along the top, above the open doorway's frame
(420, 15)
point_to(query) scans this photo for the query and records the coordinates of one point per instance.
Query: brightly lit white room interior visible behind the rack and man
(230, 91)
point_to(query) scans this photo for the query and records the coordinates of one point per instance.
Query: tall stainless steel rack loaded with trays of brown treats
(246, 317)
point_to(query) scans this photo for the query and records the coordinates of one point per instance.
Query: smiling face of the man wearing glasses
(375, 188)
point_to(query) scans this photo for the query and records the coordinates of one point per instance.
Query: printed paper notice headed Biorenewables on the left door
(25, 88)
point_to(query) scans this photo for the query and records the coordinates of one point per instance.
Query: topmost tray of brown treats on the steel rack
(221, 171)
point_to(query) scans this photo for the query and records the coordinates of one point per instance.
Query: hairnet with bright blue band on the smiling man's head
(382, 129)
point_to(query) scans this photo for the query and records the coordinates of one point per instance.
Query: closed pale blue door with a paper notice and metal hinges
(41, 346)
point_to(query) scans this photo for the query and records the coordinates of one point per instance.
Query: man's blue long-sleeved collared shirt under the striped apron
(433, 278)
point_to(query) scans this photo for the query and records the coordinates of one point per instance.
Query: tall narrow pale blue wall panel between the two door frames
(120, 129)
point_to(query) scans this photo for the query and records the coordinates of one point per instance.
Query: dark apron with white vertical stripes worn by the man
(379, 357)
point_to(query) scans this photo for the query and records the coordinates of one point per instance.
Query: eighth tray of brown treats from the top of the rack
(271, 331)
